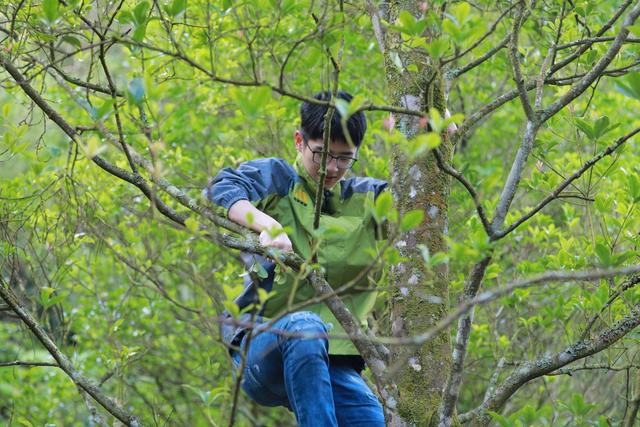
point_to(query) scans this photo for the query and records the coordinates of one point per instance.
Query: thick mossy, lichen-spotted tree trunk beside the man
(419, 295)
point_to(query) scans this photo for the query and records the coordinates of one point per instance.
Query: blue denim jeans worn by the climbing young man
(294, 371)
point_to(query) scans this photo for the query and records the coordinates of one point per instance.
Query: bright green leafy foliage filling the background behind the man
(133, 300)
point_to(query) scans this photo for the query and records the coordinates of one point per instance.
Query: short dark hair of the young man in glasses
(312, 120)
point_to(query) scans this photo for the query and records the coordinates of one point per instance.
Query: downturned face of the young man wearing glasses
(336, 148)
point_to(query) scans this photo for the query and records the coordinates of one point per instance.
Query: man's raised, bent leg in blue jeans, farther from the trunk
(292, 371)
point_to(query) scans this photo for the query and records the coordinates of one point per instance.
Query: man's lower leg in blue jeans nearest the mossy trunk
(355, 404)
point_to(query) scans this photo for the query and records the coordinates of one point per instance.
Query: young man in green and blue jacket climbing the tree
(294, 363)
